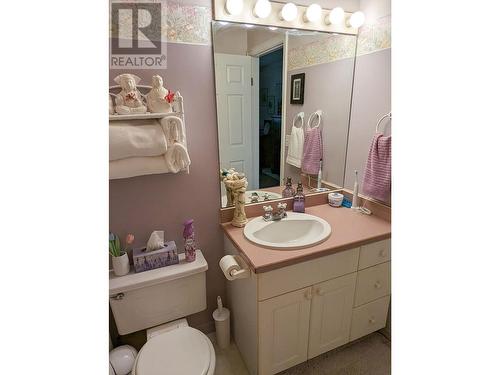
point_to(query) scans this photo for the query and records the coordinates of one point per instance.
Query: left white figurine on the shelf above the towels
(129, 99)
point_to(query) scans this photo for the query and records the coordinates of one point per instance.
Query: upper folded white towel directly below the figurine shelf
(134, 140)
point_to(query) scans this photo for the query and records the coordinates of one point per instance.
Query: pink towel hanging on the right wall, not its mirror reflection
(377, 179)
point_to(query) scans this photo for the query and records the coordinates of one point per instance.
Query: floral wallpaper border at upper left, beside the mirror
(189, 24)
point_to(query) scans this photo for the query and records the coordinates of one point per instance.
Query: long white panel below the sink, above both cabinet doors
(301, 275)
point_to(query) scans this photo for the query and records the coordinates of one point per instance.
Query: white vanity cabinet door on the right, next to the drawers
(331, 312)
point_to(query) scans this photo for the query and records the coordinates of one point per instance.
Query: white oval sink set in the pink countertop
(296, 231)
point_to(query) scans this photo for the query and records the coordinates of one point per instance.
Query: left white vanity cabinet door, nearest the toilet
(284, 331)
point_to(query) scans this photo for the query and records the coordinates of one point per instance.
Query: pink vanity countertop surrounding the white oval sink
(349, 229)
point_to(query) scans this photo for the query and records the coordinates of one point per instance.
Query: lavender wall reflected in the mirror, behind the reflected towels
(327, 87)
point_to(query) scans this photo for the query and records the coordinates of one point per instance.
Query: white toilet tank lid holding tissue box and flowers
(121, 284)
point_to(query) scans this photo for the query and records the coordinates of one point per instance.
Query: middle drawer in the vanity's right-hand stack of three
(373, 283)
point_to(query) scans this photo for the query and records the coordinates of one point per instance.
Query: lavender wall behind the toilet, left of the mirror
(142, 204)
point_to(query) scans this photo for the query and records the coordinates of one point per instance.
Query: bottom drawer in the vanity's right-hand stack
(369, 318)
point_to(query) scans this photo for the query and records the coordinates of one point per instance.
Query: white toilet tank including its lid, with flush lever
(146, 299)
